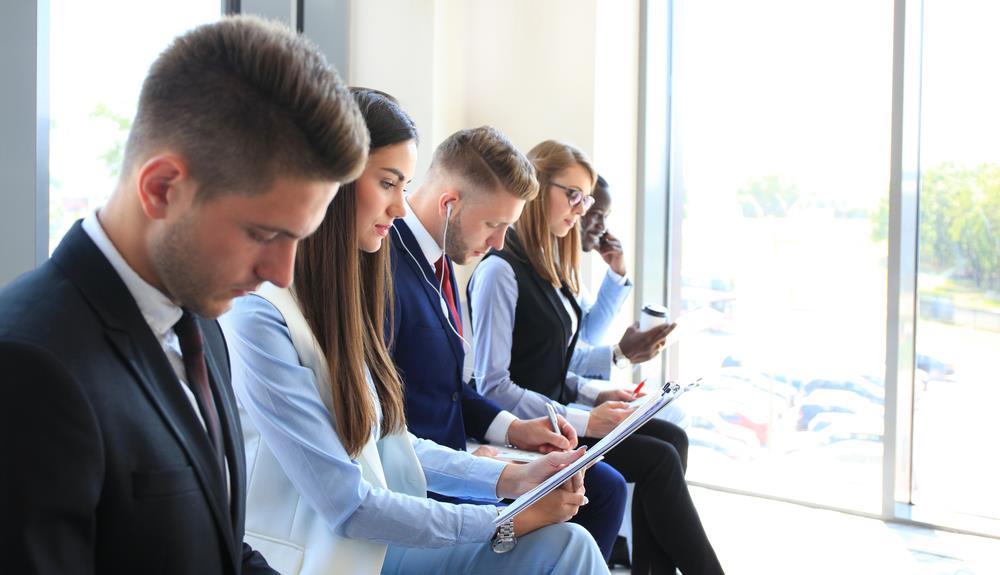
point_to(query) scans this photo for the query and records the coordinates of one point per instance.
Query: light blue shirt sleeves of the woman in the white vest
(280, 397)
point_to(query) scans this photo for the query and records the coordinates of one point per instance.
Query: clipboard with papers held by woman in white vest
(627, 427)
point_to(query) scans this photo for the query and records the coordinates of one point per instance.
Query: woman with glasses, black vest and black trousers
(525, 322)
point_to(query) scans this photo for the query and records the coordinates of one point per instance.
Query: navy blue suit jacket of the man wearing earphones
(439, 405)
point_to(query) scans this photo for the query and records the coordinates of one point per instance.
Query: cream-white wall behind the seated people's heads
(563, 69)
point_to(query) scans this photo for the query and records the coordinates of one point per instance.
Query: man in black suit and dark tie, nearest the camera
(119, 433)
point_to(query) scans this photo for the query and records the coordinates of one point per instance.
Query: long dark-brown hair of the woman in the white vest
(346, 296)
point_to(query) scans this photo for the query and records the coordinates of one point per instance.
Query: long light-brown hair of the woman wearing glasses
(550, 158)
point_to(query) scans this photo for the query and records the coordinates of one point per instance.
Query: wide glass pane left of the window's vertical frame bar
(782, 118)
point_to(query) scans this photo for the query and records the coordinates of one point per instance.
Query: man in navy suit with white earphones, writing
(474, 191)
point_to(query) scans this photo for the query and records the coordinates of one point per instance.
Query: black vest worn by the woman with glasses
(543, 338)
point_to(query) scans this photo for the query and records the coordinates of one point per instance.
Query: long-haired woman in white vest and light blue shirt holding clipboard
(336, 483)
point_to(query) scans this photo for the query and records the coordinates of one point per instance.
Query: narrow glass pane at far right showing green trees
(958, 326)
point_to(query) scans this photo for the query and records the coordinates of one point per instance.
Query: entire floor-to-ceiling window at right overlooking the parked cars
(806, 199)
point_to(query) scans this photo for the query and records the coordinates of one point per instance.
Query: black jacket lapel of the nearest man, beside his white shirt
(139, 349)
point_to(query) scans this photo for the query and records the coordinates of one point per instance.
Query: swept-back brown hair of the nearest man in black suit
(245, 101)
